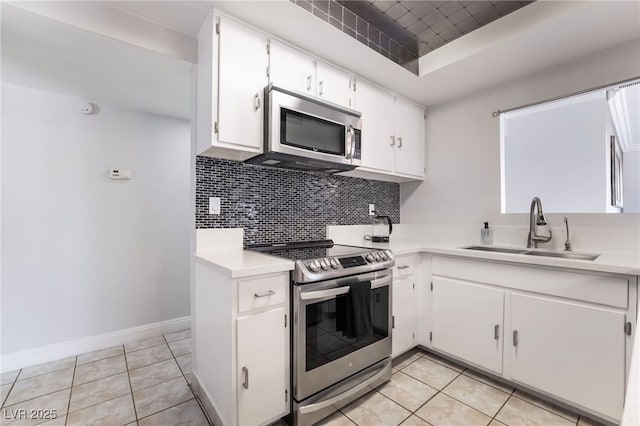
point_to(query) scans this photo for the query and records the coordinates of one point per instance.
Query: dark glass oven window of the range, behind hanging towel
(326, 339)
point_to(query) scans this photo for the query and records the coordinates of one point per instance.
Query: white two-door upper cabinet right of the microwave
(393, 134)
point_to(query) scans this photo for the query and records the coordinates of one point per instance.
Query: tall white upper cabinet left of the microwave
(231, 76)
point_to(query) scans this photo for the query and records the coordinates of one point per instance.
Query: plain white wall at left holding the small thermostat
(82, 254)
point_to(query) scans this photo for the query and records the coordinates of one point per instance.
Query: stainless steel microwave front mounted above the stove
(303, 126)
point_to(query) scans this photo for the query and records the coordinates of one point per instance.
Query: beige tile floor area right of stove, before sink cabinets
(427, 390)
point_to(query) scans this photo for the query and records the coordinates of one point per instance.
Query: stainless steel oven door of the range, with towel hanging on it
(322, 355)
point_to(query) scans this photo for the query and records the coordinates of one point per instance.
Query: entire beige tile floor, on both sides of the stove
(146, 383)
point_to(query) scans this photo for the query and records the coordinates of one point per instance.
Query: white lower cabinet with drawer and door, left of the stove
(241, 361)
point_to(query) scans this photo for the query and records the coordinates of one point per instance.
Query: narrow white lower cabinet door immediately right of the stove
(404, 315)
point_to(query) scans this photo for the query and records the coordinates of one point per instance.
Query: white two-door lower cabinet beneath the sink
(560, 332)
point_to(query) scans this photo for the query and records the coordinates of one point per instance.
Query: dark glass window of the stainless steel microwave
(303, 131)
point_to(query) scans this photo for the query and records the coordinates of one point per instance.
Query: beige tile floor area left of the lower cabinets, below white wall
(141, 383)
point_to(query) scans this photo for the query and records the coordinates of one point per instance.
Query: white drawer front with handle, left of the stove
(261, 292)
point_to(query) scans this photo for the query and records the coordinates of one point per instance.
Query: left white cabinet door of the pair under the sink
(467, 322)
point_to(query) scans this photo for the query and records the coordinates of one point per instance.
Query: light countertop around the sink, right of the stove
(617, 263)
